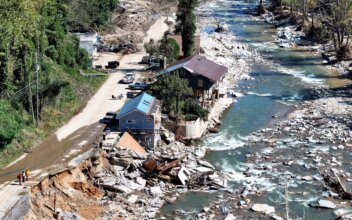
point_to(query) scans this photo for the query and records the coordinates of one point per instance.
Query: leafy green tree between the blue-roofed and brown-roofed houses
(171, 89)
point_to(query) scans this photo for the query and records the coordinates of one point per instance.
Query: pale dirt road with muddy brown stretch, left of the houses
(79, 133)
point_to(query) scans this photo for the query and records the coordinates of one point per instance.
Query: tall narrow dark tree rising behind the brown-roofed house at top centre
(186, 24)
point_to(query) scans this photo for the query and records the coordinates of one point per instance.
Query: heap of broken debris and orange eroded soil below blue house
(124, 182)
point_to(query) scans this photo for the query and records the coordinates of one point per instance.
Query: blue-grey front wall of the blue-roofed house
(136, 120)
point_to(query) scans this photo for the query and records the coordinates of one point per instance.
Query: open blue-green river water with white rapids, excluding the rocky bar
(272, 90)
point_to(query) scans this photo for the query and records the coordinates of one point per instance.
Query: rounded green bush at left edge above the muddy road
(10, 124)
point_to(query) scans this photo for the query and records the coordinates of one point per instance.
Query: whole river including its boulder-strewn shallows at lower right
(287, 78)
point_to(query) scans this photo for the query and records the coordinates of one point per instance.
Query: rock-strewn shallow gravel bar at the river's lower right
(297, 153)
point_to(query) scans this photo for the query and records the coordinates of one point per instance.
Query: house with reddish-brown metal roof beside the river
(204, 77)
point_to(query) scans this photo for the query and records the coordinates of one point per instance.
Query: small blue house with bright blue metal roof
(142, 116)
